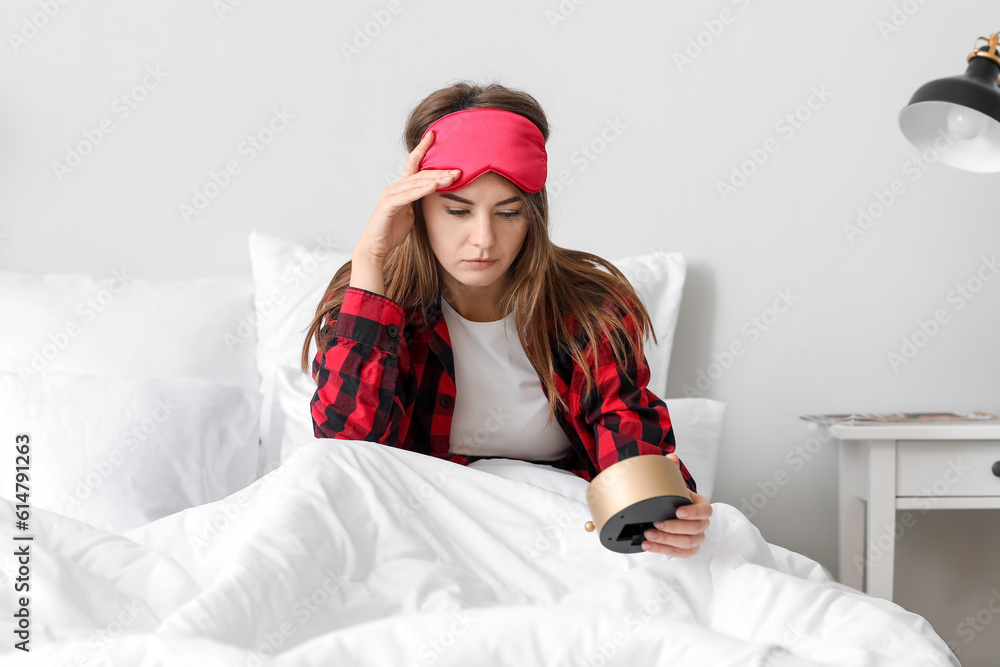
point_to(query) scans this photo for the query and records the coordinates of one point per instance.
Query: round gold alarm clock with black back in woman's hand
(627, 497)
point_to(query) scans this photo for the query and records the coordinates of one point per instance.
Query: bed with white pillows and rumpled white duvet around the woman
(181, 510)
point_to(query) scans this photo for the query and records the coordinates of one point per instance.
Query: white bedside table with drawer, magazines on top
(912, 467)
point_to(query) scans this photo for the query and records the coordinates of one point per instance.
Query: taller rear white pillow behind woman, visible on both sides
(290, 280)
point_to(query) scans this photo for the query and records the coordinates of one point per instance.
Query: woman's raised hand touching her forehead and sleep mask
(393, 217)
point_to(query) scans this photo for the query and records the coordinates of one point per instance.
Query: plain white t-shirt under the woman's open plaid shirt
(500, 408)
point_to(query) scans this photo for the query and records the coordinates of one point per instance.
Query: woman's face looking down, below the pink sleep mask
(483, 220)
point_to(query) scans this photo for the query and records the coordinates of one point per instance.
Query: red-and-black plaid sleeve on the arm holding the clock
(628, 420)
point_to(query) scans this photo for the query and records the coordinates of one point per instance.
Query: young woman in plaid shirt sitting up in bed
(459, 330)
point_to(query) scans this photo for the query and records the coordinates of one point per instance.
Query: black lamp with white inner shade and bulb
(964, 109)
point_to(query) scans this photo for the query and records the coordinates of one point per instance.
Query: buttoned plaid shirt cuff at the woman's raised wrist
(371, 319)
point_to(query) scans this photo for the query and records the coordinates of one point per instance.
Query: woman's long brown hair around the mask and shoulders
(547, 282)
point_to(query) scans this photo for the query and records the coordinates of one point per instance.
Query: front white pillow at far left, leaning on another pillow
(118, 452)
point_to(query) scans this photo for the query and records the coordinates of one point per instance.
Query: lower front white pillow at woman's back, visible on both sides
(696, 422)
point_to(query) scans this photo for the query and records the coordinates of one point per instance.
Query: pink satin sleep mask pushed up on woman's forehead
(487, 139)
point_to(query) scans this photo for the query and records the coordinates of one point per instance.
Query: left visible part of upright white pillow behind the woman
(289, 282)
